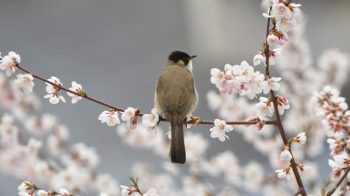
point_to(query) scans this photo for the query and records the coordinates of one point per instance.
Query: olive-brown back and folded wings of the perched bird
(175, 90)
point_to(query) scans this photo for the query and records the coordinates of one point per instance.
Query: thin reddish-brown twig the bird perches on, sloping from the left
(109, 106)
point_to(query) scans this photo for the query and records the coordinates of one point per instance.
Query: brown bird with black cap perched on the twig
(176, 98)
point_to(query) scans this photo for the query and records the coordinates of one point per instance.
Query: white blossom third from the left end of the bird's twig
(54, 94)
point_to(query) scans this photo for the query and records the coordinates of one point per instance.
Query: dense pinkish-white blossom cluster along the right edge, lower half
(333, 110)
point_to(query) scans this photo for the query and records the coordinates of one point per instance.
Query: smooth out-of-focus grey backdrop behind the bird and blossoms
(116, 50)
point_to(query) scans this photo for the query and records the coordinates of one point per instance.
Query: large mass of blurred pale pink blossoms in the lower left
(43, 155)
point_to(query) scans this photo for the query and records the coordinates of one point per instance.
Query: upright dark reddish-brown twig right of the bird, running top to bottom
(278, 117)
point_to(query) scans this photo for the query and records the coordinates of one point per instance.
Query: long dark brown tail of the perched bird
(177, 148)
